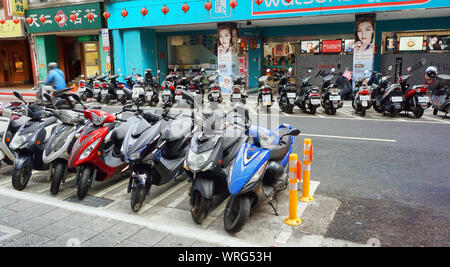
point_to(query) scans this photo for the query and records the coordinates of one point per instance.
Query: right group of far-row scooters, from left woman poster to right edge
(372, 90)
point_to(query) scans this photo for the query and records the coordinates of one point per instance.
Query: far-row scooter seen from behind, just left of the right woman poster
(330, 92)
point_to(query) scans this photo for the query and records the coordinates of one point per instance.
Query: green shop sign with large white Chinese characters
(51, 25)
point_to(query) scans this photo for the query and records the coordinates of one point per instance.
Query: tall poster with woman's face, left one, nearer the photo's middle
(227, 47)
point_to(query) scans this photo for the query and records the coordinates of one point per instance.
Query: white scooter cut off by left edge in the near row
(12, 117)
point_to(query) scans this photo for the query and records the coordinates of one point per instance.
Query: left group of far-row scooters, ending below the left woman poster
(146, 90)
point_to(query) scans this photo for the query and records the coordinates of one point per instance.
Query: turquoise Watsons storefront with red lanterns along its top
(318, 34)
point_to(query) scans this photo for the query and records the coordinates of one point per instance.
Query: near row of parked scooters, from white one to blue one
(221, 154)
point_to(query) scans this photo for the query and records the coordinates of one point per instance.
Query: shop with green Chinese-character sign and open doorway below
(72, 37)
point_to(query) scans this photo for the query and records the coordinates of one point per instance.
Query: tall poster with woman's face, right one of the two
(364, 46)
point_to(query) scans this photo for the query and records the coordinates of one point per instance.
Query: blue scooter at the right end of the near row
(258, 173)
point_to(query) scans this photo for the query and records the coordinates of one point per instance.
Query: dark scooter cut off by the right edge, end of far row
(440, 96)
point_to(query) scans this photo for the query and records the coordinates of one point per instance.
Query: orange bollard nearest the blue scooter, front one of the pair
(294, 172)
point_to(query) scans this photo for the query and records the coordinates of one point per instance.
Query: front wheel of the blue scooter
(236, 214)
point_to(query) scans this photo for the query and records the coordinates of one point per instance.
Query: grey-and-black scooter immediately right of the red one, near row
(155, 157)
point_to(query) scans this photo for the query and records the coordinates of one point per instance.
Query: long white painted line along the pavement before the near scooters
(150, 223)
